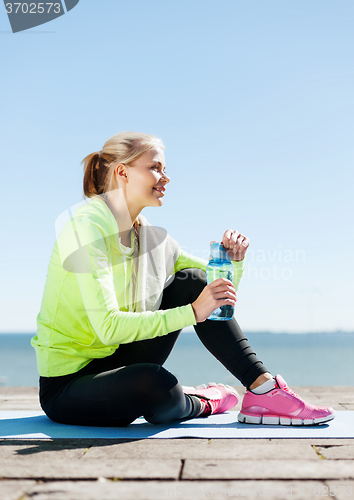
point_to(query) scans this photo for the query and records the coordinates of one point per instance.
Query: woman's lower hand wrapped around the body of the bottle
(220, 292)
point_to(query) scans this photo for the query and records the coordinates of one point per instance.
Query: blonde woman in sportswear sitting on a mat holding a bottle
(117, 295)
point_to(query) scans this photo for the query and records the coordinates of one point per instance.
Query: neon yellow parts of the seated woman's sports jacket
(83, 315)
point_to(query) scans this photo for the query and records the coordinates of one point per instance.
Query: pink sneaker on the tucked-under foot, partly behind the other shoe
(220, 397)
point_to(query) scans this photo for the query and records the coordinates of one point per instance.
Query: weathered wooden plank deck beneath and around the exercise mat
(188, 469)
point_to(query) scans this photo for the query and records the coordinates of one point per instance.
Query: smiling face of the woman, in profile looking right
(146, 180)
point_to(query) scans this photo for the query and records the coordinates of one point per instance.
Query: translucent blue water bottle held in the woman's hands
(220, 266)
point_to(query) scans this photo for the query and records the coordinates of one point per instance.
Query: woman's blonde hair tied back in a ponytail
(125, 147)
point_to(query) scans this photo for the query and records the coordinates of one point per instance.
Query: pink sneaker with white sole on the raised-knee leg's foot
(281, 406)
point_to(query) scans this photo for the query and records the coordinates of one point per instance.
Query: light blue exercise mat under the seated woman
(36, 425)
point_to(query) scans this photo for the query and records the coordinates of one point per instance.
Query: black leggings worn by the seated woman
(115, 390)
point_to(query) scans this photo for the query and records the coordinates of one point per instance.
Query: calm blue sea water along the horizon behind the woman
(311, 359)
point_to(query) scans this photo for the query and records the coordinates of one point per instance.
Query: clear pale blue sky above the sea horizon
(254, 102)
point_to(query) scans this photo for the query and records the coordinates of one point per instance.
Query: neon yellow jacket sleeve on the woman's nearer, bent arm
(86, 251)
